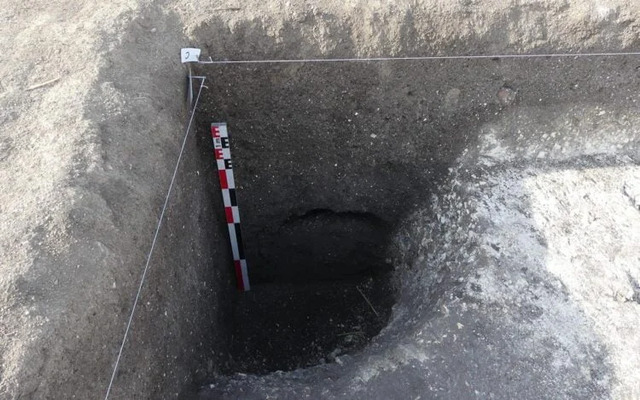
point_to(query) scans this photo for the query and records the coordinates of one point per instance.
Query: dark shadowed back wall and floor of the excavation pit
(330, 162)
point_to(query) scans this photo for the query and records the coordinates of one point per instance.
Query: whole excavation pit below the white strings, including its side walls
(354, 183)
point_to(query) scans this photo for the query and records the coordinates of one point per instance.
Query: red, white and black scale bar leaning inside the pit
(222, 151)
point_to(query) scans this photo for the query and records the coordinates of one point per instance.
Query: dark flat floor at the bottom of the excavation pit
(284, 327)
